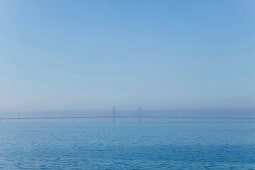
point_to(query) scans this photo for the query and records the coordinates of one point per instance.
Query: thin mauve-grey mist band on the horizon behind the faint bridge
(202, 113)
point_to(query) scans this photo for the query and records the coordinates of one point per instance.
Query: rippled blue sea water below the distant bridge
(84, 145)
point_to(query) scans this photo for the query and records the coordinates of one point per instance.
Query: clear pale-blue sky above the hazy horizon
(156, 54)
